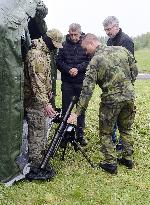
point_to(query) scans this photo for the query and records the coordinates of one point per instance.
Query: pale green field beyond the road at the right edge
(143, 60)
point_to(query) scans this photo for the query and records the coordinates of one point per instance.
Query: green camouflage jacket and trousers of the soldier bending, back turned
(114, 70)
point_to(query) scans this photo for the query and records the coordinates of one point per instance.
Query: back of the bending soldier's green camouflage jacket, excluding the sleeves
(115, 80)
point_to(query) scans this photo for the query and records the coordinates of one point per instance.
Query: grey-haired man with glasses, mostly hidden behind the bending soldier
(117, 38)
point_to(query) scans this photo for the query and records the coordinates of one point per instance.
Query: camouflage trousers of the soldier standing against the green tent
(37, 135)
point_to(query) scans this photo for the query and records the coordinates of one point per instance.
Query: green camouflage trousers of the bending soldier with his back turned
(122, 113)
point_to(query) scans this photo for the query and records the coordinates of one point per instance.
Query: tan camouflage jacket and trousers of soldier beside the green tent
(37, 87)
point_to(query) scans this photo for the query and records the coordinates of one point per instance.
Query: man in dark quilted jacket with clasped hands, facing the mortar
(72, 61)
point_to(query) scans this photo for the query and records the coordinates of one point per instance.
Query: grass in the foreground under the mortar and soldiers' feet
(76, 183)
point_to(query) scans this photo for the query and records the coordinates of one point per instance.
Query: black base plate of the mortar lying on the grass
(40, 174)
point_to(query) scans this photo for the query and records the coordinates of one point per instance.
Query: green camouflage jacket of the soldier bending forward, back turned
(113, 68)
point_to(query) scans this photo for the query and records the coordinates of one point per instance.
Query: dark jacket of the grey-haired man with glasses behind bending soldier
(122, 39)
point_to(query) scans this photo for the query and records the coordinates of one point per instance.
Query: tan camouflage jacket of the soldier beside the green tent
(37, 75)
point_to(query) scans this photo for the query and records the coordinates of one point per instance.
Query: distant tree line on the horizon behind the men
(140, 42)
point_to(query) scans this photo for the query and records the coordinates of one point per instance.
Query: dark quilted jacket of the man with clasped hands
(70, 56)
